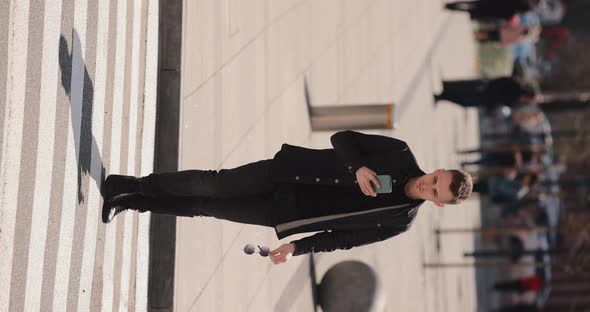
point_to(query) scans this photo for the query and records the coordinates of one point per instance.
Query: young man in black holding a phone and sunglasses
(302, 190)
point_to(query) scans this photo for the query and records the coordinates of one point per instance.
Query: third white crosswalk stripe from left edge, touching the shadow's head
(70, 191)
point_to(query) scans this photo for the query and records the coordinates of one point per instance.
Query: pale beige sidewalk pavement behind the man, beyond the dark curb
(242, 96)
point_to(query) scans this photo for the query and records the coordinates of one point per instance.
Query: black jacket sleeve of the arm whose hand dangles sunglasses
(331, 240)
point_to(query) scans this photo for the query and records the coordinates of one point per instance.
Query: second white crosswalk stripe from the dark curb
(128, 229)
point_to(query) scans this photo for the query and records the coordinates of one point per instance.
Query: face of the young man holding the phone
(435, 187)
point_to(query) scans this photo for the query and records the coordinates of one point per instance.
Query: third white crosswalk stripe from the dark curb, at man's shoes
(111, 229)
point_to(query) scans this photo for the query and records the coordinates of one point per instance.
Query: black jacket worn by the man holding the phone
(327, 199)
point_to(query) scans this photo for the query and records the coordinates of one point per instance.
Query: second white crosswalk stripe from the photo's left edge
(45, 147)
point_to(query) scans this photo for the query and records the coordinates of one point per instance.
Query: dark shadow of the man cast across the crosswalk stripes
(85, 141)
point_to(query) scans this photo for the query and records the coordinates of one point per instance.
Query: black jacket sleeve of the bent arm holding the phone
(351, 145)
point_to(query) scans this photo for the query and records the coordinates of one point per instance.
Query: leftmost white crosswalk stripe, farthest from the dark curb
(12, 139)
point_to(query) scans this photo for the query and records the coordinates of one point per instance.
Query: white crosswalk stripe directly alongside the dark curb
(147, 155)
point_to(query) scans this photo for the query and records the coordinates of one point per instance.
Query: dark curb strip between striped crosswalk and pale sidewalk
(163, 228)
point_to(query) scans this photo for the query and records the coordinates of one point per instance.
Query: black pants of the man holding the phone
(244, 194)
